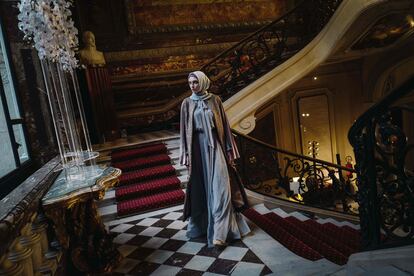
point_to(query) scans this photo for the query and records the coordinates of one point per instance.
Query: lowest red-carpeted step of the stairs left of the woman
(150, 202)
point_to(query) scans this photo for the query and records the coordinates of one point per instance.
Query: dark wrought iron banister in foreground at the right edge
(382, 142)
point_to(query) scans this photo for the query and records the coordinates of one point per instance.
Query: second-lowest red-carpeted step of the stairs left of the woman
(147, 188)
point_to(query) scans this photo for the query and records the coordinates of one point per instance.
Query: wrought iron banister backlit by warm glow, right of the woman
(291, 176)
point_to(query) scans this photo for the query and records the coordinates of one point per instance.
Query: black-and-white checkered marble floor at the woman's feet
(157, 245)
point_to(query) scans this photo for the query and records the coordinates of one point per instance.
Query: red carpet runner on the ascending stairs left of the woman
(148, 180)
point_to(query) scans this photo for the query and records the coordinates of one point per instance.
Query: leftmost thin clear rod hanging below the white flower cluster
(53, 109)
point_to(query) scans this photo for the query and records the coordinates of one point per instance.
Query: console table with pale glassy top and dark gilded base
(79, 229)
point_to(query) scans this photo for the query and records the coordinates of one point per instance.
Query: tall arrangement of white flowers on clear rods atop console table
(43, 23)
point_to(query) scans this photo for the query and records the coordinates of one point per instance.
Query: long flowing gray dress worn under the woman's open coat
(211, 209)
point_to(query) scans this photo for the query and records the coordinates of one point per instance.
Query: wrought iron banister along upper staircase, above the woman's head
(268, 47)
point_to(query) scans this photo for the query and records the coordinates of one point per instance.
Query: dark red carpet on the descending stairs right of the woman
(309, 239)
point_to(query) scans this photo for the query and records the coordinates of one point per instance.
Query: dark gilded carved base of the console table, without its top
(80, 230)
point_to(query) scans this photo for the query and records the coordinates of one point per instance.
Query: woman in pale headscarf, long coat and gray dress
(207, 147)
